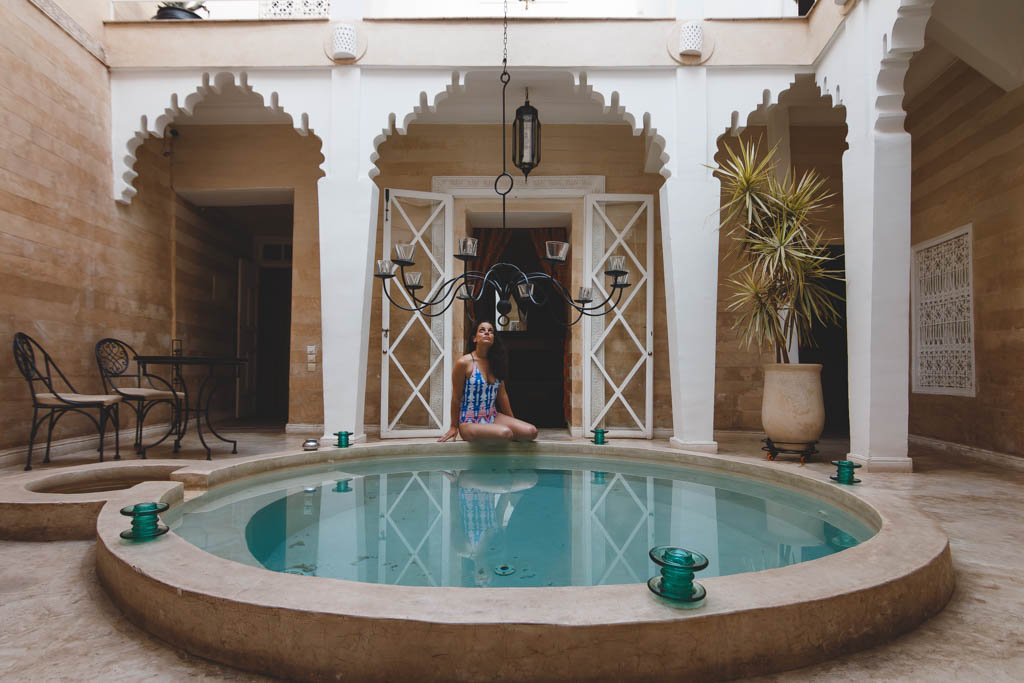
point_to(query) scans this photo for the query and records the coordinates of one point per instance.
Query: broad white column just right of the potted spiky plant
(877, 219)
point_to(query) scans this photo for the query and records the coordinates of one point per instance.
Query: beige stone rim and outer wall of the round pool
(313, 629)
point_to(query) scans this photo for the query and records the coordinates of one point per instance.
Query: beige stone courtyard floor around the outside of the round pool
(57, 623)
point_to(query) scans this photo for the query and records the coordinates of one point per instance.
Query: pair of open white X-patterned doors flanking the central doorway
(417, 349)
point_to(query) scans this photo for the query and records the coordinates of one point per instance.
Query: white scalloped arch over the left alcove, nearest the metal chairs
(154, 122)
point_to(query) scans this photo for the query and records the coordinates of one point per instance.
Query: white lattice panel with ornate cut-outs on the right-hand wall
(944, 315)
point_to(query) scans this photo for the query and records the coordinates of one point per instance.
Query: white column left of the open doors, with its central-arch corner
(364, 108)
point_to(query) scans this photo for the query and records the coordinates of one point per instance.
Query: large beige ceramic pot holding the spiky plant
(792, 410)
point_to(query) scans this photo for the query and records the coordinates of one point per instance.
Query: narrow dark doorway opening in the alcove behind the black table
(274, 338)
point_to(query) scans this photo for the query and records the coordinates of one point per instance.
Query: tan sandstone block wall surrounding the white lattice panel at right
(968, 138)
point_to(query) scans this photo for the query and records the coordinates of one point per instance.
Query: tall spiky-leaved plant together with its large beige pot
(780, 288)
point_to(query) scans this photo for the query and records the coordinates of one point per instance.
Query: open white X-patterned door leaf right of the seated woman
(619, 348)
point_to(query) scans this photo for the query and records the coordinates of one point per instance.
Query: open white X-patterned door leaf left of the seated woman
(417, 349)
